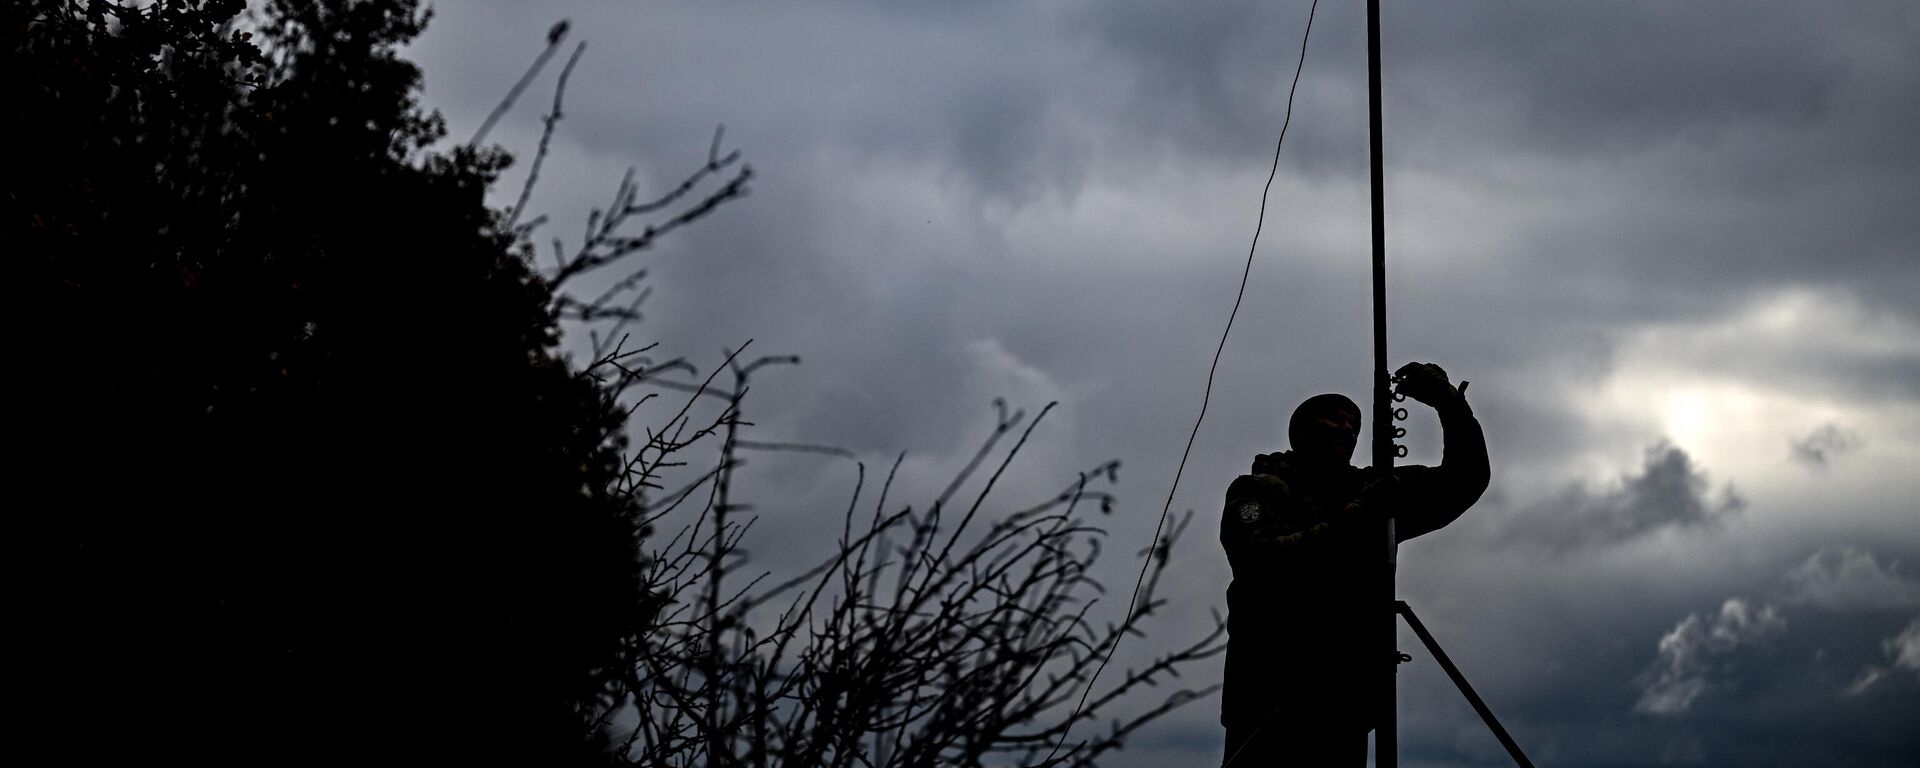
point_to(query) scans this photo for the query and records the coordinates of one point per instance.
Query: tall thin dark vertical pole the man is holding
(1385, 738)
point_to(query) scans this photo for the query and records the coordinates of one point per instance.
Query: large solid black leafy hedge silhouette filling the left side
(304, 477)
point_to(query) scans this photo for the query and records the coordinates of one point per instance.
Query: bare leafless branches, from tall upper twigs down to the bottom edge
(940, 635)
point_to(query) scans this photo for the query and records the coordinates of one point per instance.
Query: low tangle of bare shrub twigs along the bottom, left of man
(928, 636)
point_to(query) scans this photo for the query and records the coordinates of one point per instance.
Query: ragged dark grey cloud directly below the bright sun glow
(1668, 494)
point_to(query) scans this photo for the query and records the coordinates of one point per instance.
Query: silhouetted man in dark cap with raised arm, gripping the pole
(1307, 539)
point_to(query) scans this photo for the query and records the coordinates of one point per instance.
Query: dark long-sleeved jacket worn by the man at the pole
(1307, 610)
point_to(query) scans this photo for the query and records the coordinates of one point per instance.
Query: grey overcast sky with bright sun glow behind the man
(1673, 245)
